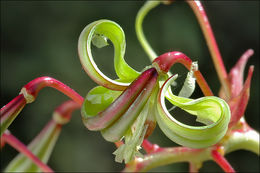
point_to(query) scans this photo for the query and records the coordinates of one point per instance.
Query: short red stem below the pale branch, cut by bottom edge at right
(221, 161)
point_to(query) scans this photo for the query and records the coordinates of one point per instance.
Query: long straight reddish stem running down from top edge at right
(211, 42)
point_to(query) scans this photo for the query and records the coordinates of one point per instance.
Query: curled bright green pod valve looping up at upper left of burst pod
(97, 33)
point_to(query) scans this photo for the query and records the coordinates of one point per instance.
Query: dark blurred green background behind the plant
(40, 39)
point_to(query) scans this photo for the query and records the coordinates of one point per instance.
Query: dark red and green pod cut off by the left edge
(10, 111)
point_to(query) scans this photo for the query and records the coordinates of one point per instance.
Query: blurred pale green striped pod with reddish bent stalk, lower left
(43, 144)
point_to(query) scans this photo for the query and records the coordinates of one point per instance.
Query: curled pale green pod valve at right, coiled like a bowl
(212, 111)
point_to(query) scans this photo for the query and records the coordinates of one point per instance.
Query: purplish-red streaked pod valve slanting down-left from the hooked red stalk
(109, 115)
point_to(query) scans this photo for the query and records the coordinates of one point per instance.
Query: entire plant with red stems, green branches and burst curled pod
(126, 110)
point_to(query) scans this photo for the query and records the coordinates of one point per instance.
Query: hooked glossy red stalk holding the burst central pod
(167, 60)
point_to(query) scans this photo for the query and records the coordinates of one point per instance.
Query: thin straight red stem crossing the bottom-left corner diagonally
(19, 146)
